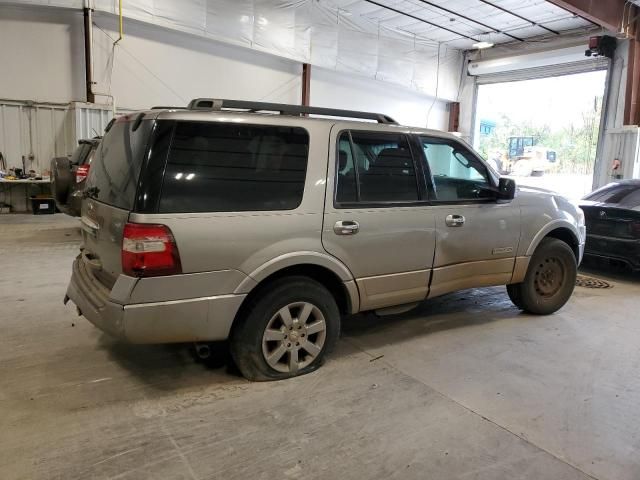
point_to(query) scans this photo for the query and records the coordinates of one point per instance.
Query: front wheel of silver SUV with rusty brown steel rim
(550, 279)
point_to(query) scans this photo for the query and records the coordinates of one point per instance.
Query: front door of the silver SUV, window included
(477, 237)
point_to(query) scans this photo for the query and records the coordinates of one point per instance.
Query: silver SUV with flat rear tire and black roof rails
(264, 224)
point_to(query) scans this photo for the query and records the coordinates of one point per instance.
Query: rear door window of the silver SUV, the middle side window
(375, 167)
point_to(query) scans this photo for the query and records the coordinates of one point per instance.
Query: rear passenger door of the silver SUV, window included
(376, 219)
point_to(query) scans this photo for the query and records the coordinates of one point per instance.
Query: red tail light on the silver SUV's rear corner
(149, 251)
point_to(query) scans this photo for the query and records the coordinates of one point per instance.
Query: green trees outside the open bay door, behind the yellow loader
(575, 144)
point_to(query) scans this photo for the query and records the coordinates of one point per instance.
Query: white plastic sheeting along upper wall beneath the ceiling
(311, 31)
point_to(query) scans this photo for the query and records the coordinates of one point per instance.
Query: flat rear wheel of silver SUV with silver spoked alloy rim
(247, 347)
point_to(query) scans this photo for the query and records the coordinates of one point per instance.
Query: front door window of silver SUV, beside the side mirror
(457, 174)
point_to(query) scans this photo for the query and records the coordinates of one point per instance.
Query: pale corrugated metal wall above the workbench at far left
(31, 134)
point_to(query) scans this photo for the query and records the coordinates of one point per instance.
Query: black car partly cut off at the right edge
(612, 217)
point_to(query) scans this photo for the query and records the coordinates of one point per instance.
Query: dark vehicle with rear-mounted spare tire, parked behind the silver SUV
(68, 176)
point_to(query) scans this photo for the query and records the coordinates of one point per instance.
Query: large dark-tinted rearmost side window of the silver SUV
(219, 167)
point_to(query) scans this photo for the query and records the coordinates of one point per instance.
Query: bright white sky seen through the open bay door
(555, 101)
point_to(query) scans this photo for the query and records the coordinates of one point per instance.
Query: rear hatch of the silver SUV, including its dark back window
(111, 190)
